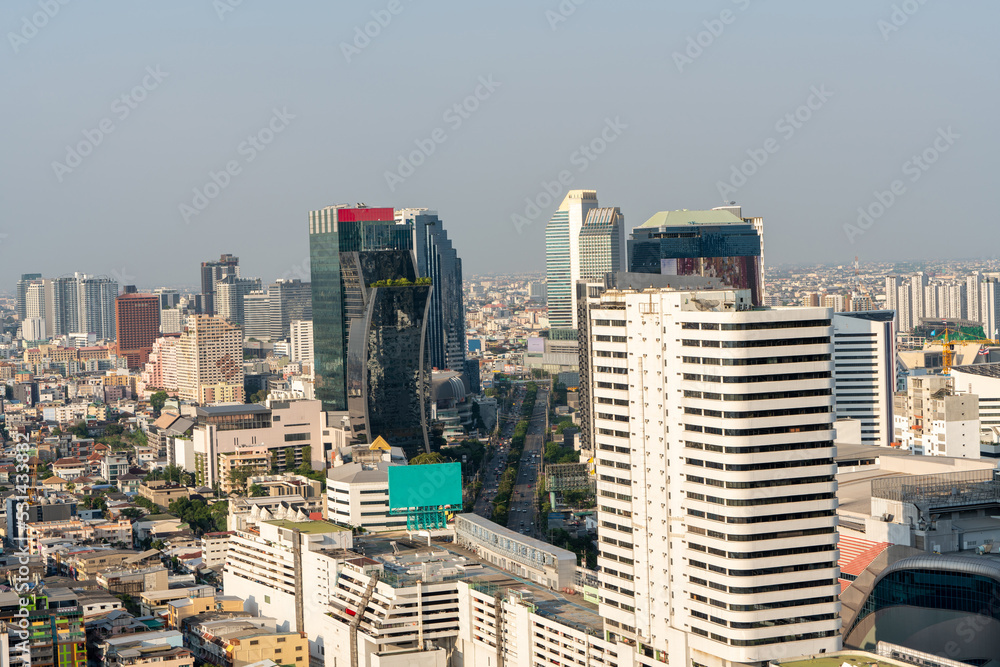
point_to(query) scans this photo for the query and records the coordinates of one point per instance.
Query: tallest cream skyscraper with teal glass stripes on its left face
(562, 256)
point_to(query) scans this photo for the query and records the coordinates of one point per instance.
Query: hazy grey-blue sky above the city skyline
(671, 98)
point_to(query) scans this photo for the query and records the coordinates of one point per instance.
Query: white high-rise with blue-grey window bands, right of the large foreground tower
(864, 353)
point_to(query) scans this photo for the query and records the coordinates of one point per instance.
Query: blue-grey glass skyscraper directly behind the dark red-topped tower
(437, 259)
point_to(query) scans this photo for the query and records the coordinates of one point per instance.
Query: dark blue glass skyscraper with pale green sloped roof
(715, 243)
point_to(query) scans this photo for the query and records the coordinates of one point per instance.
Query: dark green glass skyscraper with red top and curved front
(370, 315)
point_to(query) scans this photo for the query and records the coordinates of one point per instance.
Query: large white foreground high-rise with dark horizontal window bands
(713, 431)
